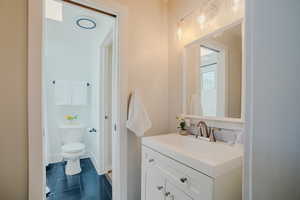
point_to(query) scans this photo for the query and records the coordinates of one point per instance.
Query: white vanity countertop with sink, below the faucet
(210, 158)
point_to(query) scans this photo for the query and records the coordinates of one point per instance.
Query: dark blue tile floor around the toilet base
(87, 185)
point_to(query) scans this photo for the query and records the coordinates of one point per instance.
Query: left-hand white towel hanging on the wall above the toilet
(62, 93)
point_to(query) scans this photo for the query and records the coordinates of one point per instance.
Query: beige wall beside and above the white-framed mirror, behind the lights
(191, 31)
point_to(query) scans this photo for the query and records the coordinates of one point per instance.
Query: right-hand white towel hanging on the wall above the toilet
(79, 93)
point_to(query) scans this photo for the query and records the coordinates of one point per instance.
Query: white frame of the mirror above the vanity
(222, 120)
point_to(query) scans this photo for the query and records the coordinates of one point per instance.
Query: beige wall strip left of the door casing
(13, 134)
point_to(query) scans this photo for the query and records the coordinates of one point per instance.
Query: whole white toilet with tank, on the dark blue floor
(72, 148)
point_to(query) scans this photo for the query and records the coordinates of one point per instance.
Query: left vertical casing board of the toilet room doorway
(36, 172)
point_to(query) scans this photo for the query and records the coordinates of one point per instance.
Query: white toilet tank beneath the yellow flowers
(72, 133)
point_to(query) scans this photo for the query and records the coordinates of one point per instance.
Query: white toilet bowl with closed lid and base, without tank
(72, 152)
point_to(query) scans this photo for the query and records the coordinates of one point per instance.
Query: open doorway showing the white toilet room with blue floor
(77, 77)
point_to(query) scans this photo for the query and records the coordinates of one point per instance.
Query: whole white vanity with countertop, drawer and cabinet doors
(176, 167)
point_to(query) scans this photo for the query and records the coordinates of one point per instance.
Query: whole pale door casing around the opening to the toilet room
(36, 171)
